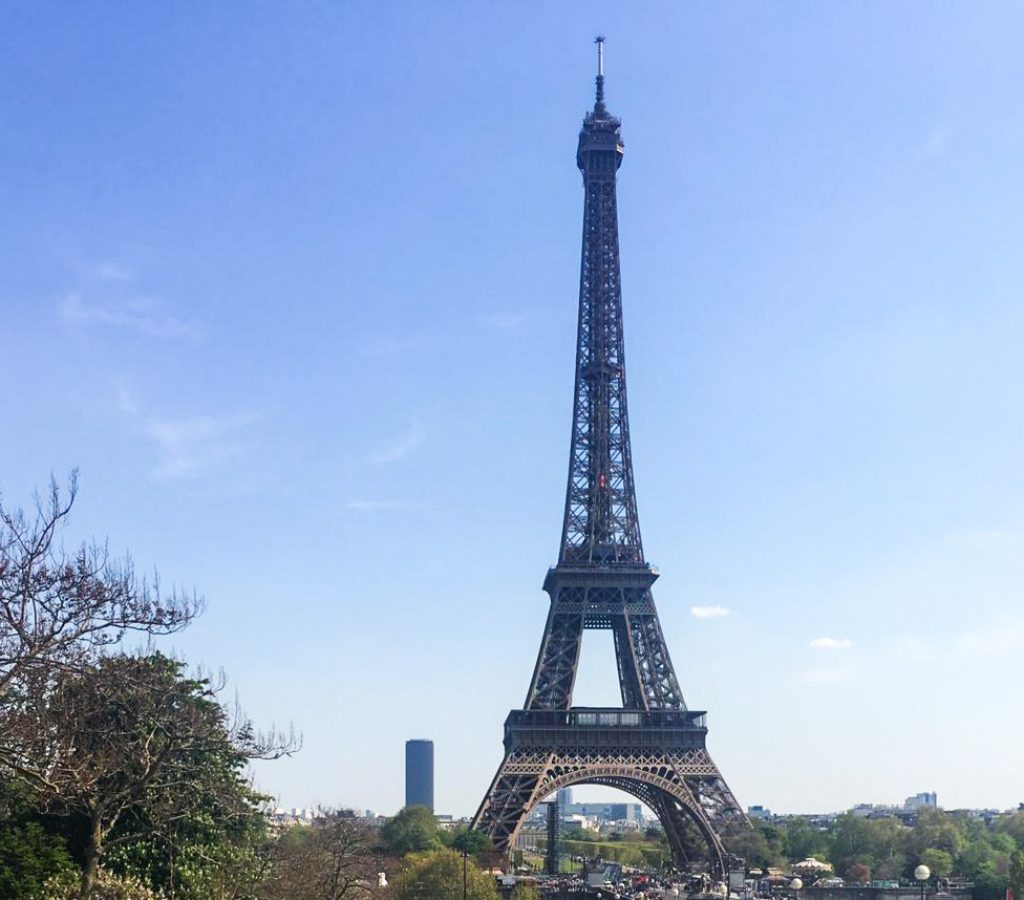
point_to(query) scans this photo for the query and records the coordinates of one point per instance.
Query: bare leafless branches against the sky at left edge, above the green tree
(59, 610)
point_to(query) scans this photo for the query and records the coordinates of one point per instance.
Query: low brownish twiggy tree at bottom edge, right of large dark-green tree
(334, 860)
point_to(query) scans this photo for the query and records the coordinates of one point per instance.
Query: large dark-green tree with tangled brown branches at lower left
(135, 749)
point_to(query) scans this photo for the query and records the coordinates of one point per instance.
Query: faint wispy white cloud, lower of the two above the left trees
(193, 444)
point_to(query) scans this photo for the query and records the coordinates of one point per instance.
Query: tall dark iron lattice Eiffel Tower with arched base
(654, 747)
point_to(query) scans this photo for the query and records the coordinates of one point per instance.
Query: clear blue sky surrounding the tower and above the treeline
(295, 288)
